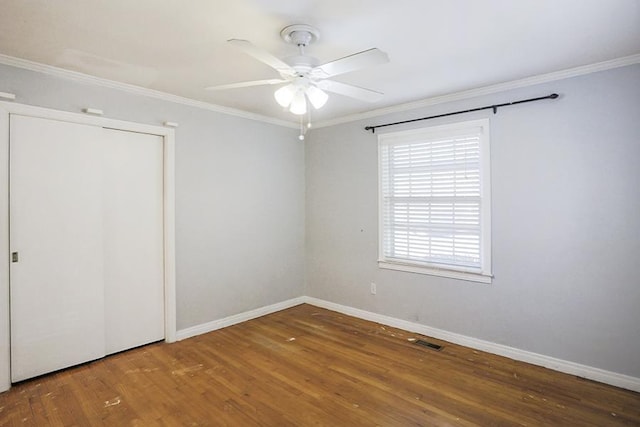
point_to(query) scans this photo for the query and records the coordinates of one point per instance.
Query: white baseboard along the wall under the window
(584, 371)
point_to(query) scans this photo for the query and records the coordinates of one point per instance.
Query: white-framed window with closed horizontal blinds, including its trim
(435, 204)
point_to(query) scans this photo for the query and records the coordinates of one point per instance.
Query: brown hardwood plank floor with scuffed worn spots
(309, 366)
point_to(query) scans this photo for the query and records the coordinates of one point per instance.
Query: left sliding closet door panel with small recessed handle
(57, 286)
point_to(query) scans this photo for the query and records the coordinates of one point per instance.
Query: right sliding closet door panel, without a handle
(133, 244)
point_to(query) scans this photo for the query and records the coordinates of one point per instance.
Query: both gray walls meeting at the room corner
(566, 216)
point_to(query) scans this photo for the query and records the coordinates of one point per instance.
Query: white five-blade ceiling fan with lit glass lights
(304, 78)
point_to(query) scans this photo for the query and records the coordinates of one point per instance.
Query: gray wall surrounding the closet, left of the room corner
(239, 196)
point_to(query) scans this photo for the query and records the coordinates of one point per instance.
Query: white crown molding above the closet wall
(136, 90)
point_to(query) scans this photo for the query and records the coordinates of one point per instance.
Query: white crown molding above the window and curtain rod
(487, 90)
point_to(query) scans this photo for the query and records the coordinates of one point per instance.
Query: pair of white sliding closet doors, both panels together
(86, 226)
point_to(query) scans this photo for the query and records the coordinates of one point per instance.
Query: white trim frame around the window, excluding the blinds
(482, 274)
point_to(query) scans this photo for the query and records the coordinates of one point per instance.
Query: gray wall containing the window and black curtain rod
(565, 220)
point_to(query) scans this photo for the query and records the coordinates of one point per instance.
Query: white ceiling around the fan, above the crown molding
(435, 47)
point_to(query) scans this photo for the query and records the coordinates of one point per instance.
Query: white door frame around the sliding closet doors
(168, 134)
